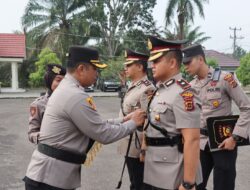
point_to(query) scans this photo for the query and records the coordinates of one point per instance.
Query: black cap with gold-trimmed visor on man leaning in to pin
(79, 54)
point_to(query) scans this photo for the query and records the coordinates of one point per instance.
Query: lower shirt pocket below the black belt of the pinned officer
(166, 154)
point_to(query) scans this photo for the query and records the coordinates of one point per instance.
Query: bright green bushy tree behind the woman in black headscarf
(45, 57)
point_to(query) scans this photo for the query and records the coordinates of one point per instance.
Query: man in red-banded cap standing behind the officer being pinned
(135, 97)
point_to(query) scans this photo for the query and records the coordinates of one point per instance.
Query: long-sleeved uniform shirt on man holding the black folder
(217, 99)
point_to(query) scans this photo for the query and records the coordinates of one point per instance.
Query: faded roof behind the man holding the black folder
(222, 59)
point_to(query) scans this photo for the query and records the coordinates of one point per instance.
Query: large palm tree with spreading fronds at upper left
(49, 23)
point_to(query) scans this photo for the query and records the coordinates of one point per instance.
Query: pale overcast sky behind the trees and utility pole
(219, 16)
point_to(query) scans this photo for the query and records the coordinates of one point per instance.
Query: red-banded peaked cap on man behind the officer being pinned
(132, 56)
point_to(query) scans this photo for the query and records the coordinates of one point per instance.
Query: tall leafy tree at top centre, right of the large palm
(115, 18)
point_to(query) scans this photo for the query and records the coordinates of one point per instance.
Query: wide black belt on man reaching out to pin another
(62, 155)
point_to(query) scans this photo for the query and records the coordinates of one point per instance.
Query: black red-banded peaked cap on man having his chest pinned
(158, 46)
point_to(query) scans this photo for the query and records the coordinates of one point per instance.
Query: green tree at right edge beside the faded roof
(243, 71)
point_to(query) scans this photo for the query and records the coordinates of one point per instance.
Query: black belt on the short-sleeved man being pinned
(163, 141)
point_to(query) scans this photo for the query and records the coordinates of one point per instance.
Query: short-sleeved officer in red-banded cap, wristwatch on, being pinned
(172, 136)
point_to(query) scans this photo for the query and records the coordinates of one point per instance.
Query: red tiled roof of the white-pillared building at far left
(12, 45)
